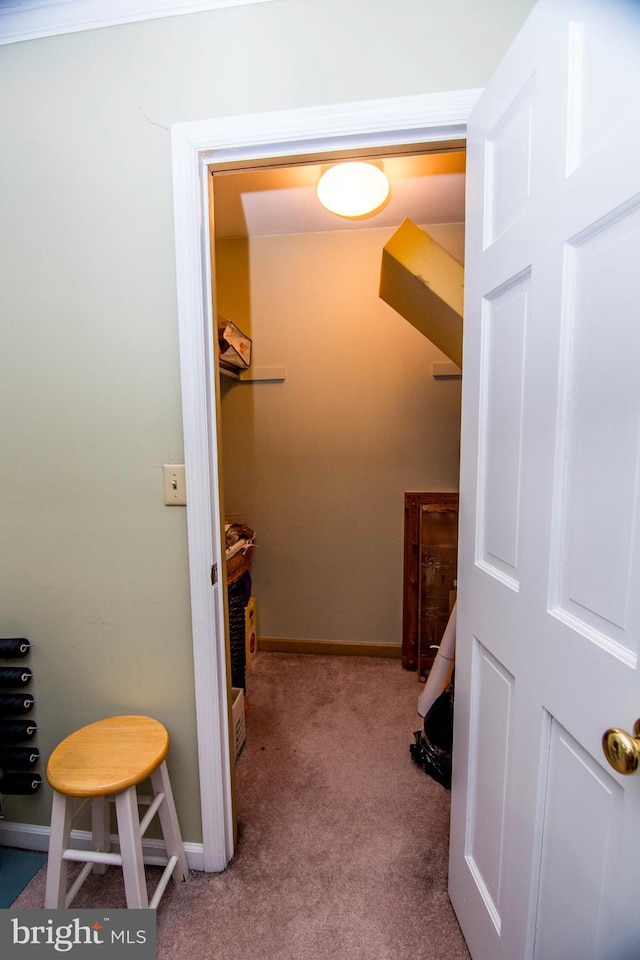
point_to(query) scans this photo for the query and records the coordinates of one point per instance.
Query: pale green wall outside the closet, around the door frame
(95, 567)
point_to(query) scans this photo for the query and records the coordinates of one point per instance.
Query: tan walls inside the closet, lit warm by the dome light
(318, 465)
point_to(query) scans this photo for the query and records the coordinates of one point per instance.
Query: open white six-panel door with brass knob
(545, 835)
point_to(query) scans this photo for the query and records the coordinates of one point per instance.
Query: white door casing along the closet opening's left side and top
(428, 118)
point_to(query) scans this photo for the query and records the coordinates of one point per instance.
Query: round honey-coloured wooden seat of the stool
(107, 756)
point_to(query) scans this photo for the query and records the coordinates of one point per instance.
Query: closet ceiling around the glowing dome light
(427, 188)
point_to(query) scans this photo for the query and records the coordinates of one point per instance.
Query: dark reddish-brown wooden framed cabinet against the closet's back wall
(430, 565)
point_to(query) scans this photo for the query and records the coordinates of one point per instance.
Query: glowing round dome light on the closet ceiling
(353, 189)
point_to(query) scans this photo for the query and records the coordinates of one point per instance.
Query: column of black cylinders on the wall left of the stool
(18, 755)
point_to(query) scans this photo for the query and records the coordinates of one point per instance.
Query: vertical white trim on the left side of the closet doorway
(191, 201)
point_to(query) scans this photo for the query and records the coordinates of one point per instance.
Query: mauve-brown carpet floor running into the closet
(343, 840)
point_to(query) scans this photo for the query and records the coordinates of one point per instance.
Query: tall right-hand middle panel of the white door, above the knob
(600, 432)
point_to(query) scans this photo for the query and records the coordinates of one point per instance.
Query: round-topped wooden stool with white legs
(106, 760)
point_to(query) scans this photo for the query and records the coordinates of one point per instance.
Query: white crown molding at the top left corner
(34, 19)
